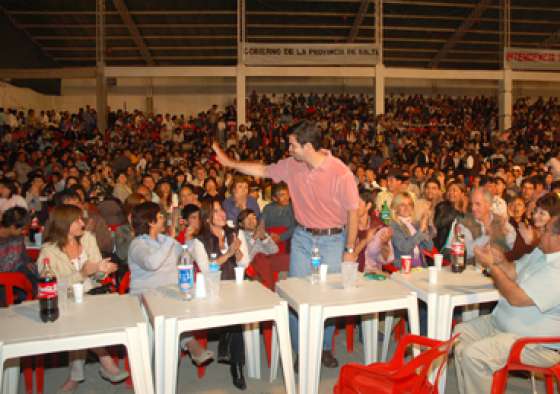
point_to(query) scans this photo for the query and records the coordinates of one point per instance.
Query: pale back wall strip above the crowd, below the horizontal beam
(192, 95)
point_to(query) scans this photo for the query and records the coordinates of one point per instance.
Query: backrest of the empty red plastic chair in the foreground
(420, 366)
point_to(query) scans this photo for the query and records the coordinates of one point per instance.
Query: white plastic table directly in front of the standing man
(316, 303)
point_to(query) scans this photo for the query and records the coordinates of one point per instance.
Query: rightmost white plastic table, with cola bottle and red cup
(470, 287)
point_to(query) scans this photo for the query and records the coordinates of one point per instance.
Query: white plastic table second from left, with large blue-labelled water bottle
(246, 303)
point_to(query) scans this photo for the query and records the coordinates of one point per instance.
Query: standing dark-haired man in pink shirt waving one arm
(325, 200)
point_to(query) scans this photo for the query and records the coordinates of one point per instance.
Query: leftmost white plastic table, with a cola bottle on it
(101, 320)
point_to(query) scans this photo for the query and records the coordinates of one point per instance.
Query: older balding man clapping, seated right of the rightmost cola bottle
(481, 226)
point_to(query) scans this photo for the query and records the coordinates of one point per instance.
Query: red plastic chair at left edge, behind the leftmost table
(9, 280)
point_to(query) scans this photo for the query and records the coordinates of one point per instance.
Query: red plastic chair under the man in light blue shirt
(514, 363)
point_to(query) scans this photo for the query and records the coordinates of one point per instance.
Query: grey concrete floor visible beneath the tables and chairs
(217, 379)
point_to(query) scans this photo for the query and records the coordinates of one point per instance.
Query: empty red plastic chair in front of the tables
(396, 376)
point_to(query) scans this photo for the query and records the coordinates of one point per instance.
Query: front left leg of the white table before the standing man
(315, 343)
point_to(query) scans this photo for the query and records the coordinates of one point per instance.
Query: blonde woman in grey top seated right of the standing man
(408, 237)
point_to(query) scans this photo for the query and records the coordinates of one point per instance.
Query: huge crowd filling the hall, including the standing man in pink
(126, 198)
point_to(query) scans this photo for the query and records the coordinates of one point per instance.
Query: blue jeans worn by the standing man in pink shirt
(331, 248)
